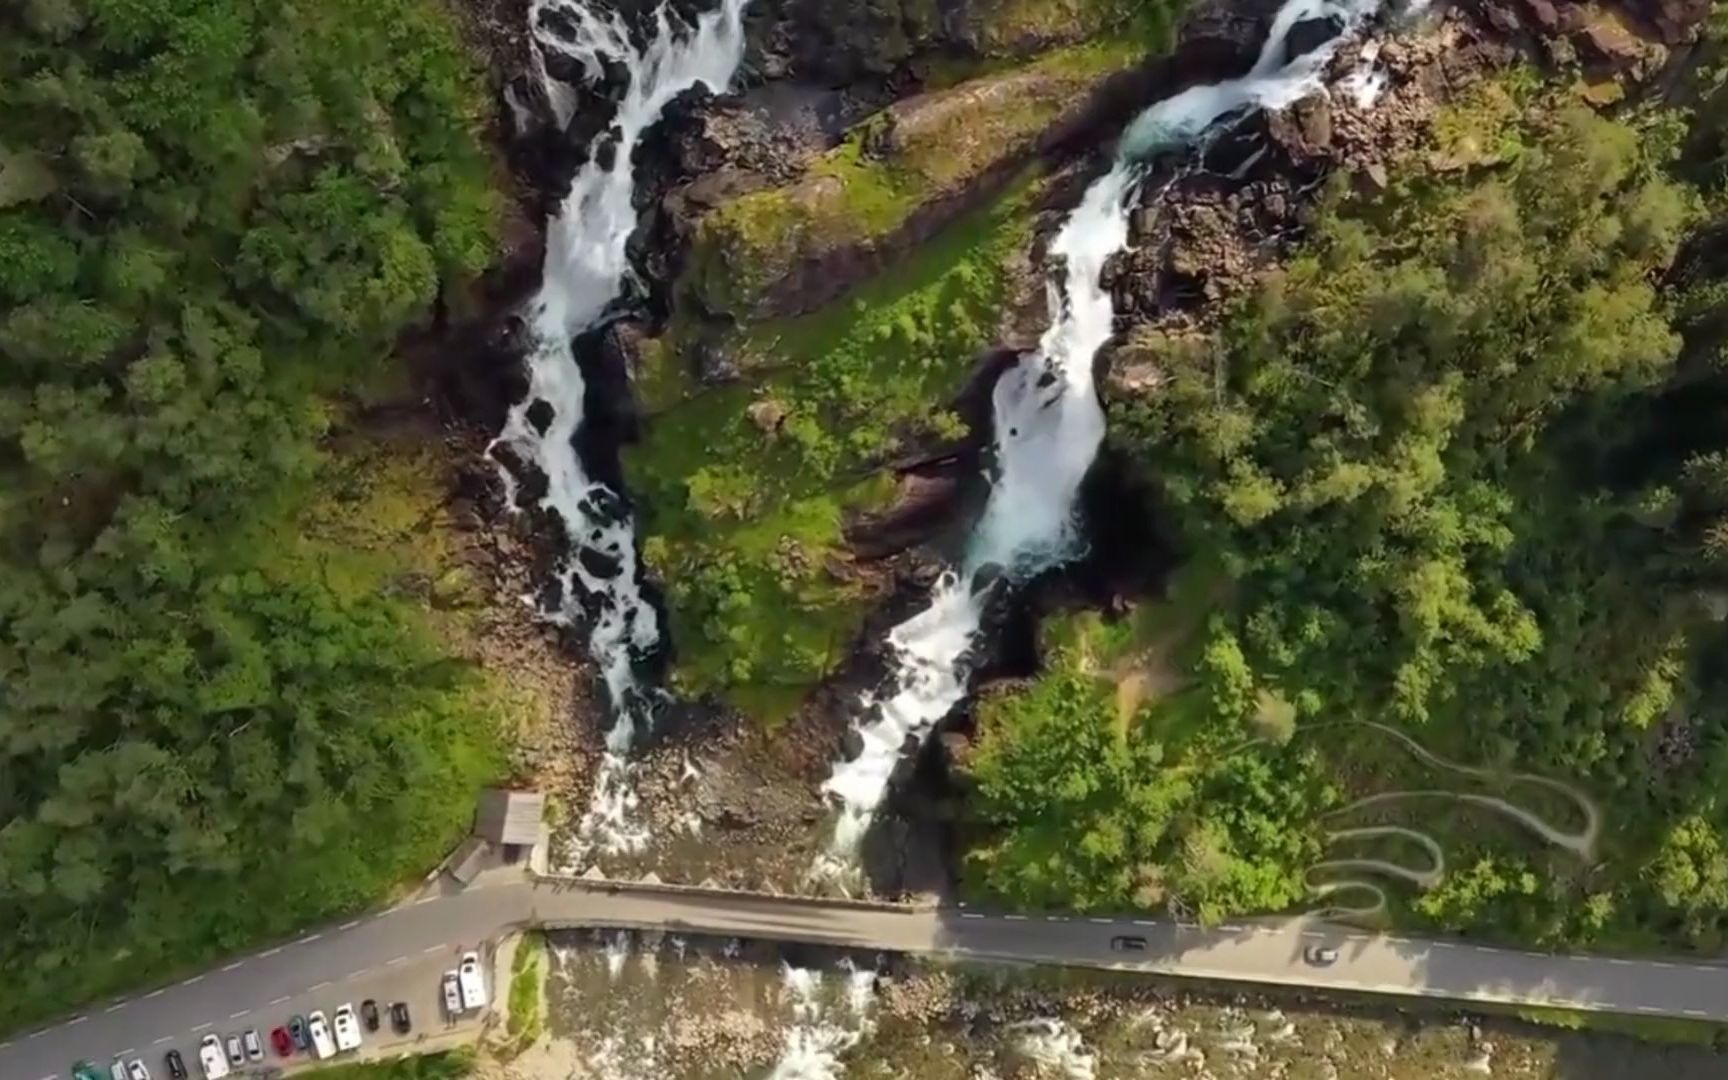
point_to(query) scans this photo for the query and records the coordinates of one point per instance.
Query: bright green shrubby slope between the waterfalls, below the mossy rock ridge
(747, 486)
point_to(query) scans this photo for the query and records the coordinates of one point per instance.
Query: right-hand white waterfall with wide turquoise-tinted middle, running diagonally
(1050, 424)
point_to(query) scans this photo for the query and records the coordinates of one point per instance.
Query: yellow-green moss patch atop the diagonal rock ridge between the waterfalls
(868, 189)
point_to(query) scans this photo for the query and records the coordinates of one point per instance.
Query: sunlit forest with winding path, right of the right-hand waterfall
(1456, 469)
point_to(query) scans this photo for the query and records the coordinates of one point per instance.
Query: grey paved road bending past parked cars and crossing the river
(400, 953)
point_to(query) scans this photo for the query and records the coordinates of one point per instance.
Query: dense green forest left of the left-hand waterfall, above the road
(220, 720)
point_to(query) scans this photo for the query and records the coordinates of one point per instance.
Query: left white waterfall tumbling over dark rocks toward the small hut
(585, 272)
